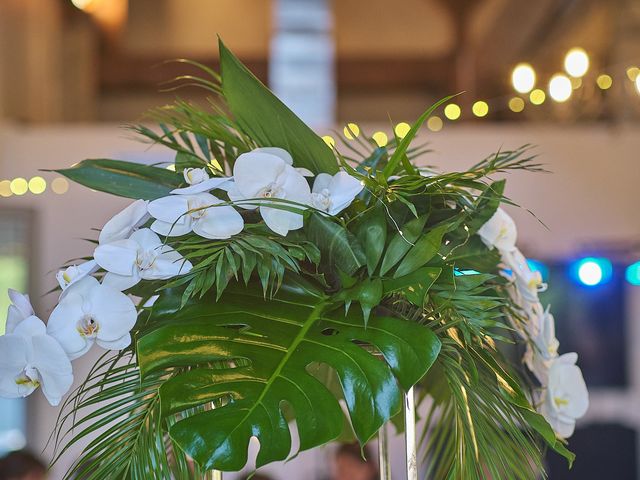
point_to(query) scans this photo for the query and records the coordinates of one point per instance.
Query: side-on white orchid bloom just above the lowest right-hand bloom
(543, 346)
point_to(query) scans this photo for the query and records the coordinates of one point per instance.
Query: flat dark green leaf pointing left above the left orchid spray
(124, 179)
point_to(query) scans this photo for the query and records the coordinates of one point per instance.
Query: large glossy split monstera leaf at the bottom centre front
(271, 348)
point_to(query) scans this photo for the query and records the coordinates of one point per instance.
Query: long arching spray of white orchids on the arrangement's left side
(91, 311)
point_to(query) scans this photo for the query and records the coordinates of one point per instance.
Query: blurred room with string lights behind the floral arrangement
(562, 75)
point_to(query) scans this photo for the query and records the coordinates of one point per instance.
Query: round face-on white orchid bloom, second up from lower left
(92, 313)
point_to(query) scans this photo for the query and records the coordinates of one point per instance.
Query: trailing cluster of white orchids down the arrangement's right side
(563, 397)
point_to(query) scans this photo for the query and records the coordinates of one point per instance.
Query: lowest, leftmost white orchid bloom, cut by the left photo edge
(30, 359)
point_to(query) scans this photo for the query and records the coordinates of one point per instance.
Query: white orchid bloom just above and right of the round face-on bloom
(142, 256)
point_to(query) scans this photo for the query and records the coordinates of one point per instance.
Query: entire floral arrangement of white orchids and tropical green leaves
(267, 278)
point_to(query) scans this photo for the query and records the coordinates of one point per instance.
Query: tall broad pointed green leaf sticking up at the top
(269, 121)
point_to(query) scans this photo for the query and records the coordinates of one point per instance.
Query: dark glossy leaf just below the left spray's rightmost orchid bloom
(338, 247)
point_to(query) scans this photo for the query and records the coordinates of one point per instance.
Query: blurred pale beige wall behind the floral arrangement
(591, 196)
